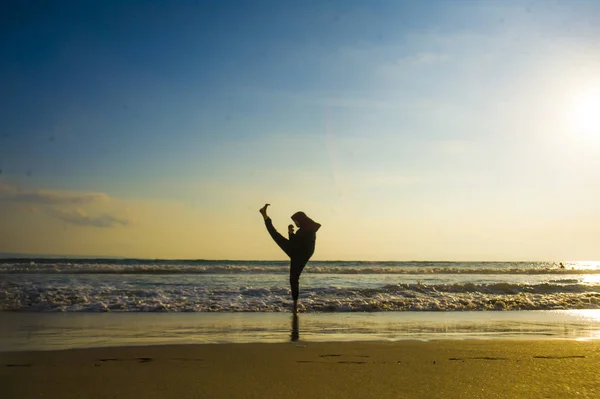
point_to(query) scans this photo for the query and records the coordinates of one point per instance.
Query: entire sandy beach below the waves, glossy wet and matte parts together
(527, 354)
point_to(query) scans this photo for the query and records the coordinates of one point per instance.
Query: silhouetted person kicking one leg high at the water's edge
(299, 247)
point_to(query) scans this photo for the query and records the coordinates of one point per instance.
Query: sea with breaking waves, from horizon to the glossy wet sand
(111, 285)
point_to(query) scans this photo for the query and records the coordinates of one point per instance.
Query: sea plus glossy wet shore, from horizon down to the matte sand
(65, 303)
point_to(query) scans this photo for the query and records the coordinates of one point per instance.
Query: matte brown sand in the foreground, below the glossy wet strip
(406, 369)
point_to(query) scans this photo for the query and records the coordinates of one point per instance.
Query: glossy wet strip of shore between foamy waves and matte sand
(57, 331)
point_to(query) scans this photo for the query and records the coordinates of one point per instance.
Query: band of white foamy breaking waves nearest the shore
(393, 297)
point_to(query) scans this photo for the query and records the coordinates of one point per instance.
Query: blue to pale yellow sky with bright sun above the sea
(412, 130)
